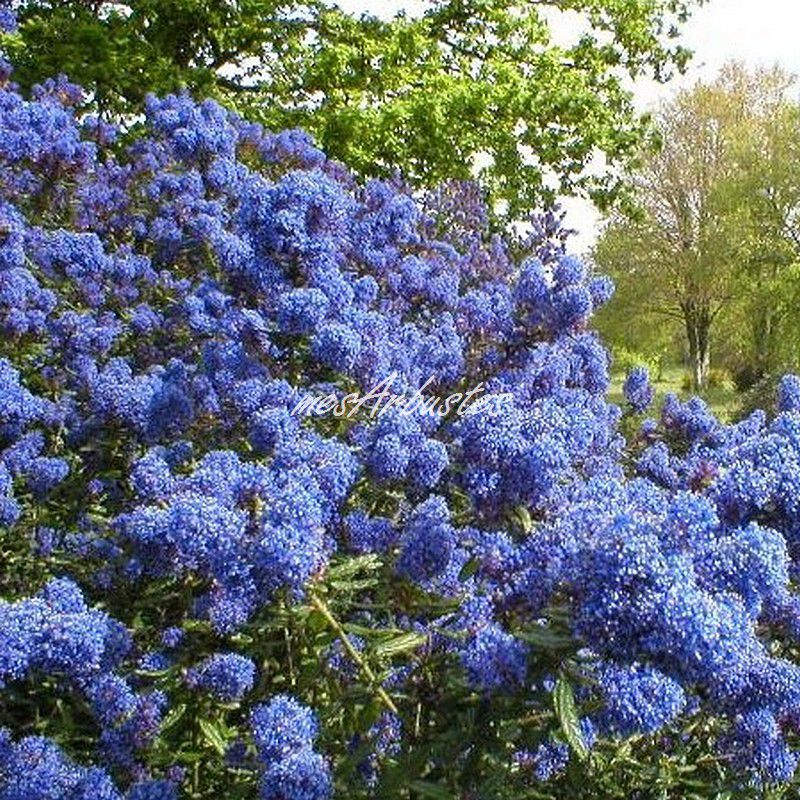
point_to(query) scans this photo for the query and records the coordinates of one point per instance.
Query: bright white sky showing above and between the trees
(758, 32)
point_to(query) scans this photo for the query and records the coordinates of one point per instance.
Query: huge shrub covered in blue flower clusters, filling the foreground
(210, 595)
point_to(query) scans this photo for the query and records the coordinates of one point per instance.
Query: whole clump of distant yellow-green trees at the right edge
(714, 242)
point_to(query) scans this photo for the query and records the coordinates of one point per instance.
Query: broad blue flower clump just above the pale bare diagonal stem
(249, 529)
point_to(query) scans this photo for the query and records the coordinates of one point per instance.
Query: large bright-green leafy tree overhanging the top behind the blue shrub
(466, 86)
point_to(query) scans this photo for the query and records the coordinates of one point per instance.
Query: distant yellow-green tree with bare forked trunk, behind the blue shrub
(680, 255)
